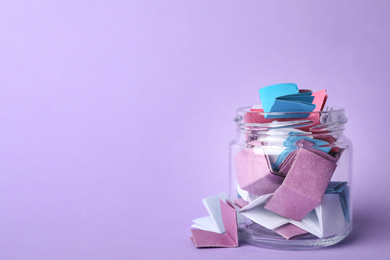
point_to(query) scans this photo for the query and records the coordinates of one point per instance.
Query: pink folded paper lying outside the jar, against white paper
(203, 238)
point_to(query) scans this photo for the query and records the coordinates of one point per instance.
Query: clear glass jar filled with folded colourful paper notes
(290, 177)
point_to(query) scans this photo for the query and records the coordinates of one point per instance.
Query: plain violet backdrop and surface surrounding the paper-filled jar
(116, 117)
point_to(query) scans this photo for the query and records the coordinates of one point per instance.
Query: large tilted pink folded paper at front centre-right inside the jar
(304, 185)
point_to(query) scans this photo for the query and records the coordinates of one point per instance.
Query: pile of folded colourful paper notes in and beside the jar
(284, 176)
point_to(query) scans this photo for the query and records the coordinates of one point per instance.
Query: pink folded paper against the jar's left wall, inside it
(253, 174)
